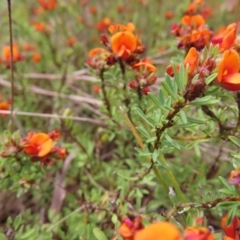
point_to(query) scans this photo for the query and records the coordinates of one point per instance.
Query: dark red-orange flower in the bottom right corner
(231, 231)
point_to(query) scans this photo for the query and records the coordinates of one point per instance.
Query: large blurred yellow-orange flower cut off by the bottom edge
(158, 231)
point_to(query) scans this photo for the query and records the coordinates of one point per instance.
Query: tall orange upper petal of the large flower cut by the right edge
(229, 64)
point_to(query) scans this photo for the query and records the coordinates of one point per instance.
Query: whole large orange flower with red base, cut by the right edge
(228, 71)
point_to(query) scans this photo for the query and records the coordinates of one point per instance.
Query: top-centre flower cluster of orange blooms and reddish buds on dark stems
(123, 47)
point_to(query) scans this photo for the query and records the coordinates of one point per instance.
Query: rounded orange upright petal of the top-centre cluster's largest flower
(124, 39)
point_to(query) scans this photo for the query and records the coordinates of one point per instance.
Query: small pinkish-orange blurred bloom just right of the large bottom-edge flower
(194, 233)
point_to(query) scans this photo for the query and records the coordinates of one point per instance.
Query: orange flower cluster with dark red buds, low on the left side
(38, 146)
